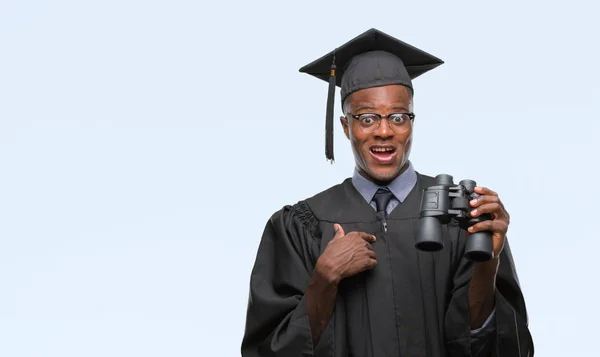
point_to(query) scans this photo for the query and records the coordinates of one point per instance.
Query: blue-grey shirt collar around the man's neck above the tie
(400, 186)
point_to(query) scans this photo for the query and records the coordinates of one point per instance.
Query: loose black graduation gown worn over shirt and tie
(412, 304)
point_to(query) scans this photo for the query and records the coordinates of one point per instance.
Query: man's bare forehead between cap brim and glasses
(384, 96)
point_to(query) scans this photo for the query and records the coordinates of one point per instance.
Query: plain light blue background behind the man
(144, 145)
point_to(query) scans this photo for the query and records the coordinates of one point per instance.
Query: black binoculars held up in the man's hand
(443, 202)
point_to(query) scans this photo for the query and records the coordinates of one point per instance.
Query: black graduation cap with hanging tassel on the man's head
(371, 59)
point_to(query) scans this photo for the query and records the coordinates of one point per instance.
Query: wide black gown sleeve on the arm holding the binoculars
(507, 334)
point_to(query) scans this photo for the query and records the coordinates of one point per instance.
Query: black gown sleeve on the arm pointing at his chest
(276, 320)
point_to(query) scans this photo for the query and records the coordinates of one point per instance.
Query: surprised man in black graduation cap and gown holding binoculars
(338, 274)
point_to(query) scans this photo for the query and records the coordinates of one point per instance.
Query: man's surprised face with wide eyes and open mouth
(383, 154)
